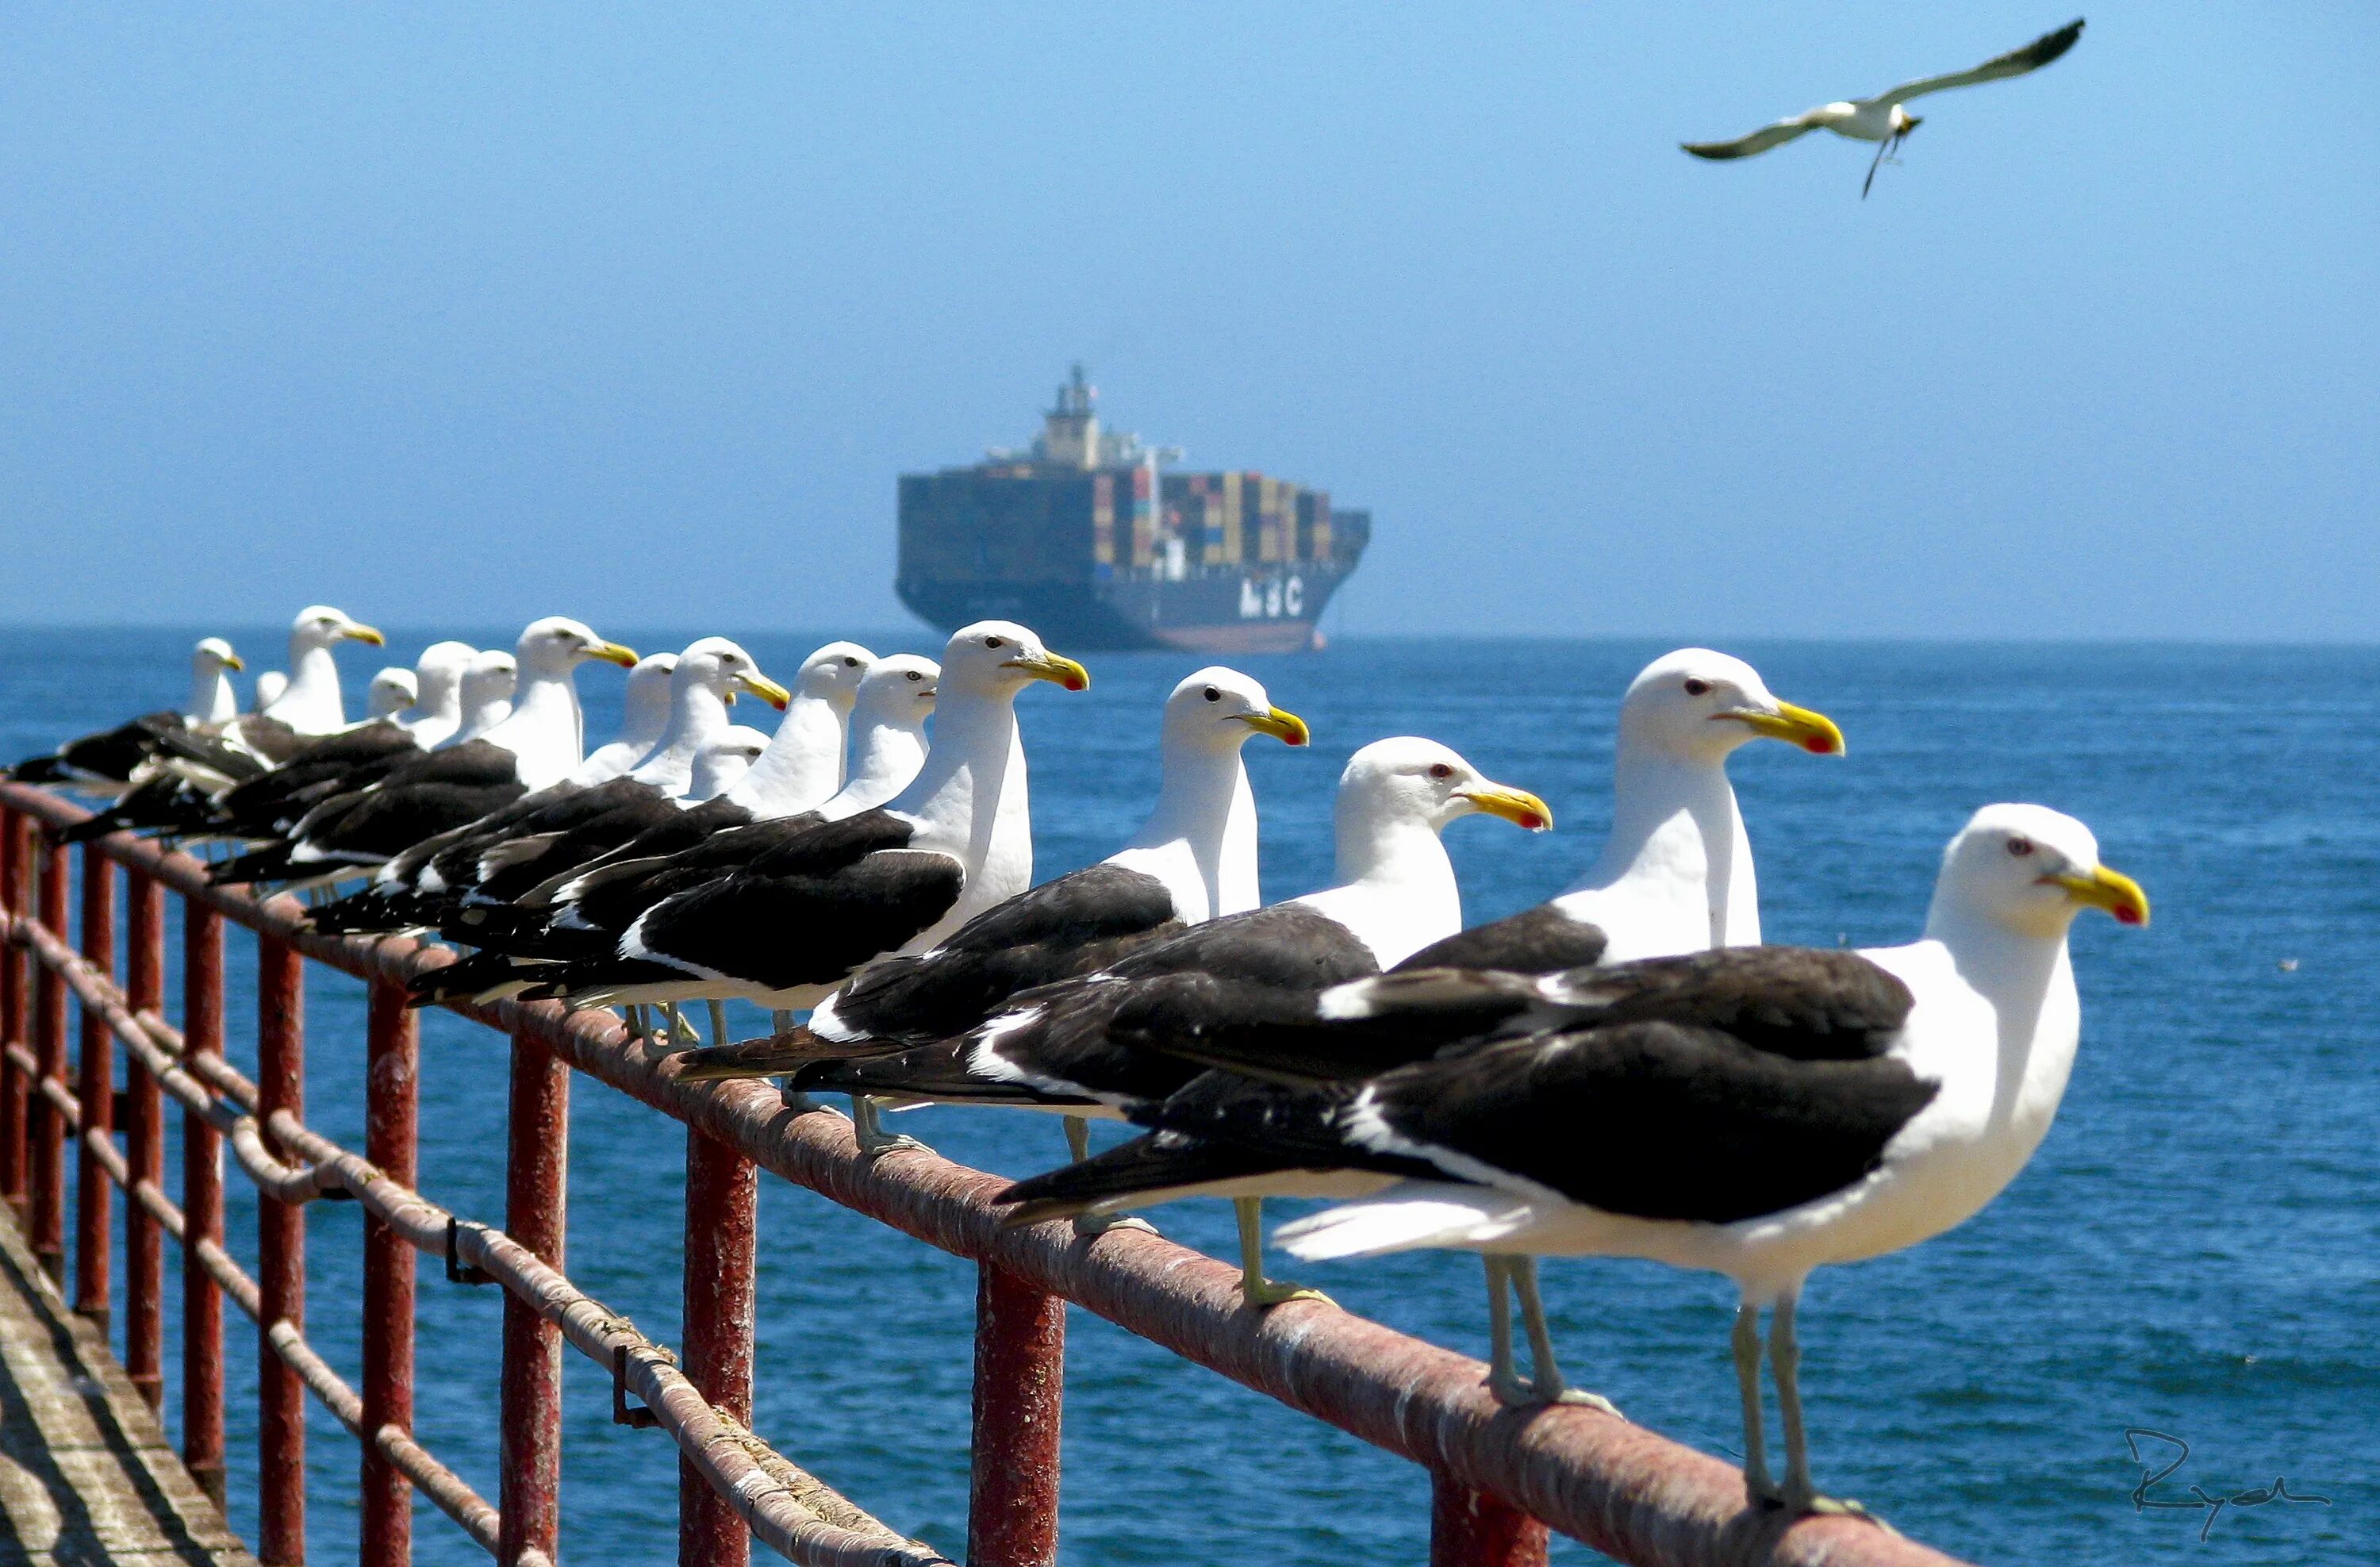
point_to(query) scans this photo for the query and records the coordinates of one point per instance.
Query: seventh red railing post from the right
(201, 1209)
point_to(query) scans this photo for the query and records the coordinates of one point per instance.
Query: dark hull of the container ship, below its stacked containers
(1220, 611)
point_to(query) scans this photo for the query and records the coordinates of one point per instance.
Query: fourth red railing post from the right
(537, 1182)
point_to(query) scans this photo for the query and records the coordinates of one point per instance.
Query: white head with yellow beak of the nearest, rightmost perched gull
(2031, 870)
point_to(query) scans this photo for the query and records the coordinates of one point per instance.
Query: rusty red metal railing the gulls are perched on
(1501, 1478)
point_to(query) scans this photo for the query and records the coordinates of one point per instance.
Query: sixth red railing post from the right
(280, 1263)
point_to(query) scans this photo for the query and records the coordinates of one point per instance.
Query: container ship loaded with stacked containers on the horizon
(1094, 542)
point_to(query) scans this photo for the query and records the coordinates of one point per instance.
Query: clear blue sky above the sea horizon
(480, 313)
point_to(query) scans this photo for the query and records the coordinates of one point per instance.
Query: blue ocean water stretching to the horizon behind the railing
(2196, 1251)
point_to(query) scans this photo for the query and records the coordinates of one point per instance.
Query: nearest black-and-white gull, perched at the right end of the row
(1755, 1111)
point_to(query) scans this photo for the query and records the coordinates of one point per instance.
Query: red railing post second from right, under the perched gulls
(1020, 1392)
